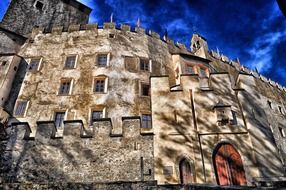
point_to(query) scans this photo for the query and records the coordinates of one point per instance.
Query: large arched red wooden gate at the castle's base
(228, 166)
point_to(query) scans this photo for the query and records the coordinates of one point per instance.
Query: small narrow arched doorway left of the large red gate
(186, 175)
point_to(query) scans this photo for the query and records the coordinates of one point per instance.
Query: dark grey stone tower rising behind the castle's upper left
(54, 12)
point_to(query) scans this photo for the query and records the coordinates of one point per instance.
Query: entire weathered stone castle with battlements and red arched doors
(85, 103)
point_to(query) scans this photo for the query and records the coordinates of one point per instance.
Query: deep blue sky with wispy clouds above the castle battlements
(252, 30)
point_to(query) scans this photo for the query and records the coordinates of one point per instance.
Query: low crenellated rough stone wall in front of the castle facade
(99, 157)
